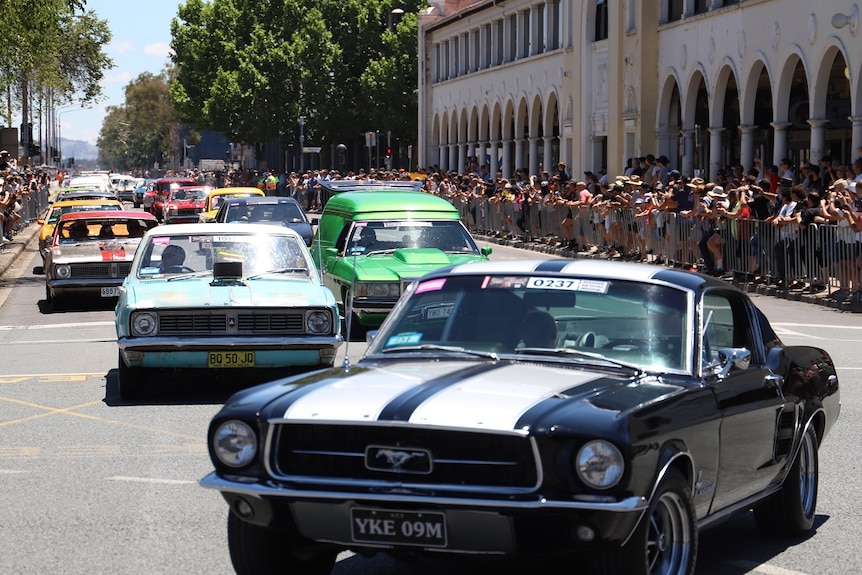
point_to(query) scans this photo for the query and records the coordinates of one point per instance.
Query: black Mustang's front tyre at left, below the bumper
(256, 550)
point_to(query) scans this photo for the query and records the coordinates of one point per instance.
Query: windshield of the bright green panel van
(367, 238)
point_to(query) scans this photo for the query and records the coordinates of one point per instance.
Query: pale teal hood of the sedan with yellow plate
(200, 292)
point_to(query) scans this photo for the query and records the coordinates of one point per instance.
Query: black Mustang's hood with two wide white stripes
(514, 395)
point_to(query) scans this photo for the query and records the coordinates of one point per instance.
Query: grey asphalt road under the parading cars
(98, 485)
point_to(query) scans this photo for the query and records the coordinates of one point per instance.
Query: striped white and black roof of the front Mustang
(604, 269)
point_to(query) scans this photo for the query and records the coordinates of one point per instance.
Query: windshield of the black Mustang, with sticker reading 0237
(566, 318)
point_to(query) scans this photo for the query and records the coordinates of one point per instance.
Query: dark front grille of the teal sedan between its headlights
(232, 322)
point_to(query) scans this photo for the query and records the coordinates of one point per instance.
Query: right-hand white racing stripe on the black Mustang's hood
(504, 394)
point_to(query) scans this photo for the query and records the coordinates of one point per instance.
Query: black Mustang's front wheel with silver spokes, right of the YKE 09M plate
(665, 541)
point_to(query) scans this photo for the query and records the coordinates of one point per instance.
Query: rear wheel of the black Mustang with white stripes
(791, 510)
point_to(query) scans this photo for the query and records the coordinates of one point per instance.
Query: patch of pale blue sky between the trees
(141, 37)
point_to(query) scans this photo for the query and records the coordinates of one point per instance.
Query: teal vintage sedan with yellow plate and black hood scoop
(223, 297)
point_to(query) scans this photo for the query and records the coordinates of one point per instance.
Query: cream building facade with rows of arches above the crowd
(525, 84)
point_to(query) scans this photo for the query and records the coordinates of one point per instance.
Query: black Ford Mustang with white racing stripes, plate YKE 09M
(600, 411)
